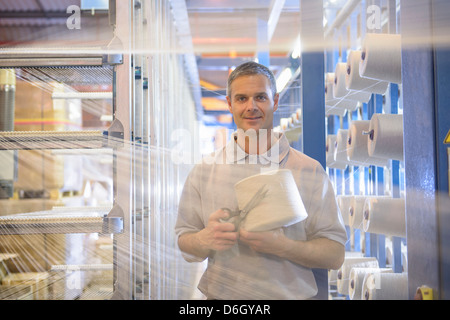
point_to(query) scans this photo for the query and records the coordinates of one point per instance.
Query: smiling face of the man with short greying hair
(252, 103)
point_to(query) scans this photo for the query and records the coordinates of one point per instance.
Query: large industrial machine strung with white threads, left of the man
(133, 153)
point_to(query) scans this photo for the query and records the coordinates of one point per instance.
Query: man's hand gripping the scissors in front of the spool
(217, 235)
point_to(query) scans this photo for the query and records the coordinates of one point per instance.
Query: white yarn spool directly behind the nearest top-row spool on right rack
(354, 81)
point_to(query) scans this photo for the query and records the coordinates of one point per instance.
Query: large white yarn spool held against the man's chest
(282, 206)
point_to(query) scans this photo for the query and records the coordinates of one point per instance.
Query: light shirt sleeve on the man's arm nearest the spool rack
(324, 217)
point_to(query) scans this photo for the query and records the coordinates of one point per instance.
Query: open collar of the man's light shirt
(276, 154)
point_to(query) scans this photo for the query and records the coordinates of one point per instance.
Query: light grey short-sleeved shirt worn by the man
(241, 273)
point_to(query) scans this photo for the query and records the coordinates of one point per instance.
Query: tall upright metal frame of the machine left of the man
(156, 36)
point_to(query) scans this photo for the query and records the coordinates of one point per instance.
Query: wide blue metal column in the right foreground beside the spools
(422, 220)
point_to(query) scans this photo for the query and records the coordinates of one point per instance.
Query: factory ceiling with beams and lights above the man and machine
(224, 32)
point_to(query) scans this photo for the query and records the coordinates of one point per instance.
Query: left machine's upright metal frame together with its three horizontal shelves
(150, 54)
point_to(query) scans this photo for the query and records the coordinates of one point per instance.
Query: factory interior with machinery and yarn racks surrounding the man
(106, 105)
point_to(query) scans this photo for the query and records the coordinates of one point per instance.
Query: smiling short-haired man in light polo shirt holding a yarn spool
(258, 265)
